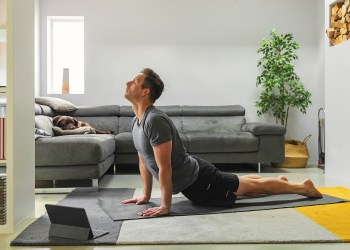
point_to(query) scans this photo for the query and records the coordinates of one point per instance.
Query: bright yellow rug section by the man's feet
(334, 217)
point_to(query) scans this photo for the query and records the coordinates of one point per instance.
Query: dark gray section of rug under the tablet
(36, 234)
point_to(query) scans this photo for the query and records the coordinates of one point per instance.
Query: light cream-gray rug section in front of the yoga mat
(265, 226)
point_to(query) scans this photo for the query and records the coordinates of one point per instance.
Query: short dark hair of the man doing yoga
(153, 82)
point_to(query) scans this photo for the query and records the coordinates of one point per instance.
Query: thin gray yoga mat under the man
(182, 206)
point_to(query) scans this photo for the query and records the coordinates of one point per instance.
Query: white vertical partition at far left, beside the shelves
(22, 111)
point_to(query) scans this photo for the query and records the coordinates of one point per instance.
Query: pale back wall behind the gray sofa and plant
(204, 50)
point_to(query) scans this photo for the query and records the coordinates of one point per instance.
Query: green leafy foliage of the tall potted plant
(282, 88)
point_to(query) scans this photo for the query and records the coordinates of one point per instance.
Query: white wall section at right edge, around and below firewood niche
(337, 90)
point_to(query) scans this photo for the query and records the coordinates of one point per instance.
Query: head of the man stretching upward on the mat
(146, 84)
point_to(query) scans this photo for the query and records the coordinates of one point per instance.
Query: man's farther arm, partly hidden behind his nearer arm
(147, 178)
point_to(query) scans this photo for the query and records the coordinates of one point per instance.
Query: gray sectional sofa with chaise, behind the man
(219, 134)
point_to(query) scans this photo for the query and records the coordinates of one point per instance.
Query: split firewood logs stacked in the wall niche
(339, 29)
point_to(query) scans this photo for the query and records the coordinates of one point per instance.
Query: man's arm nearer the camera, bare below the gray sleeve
(162, 154)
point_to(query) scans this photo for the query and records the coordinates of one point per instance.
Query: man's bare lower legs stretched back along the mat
(256, 186)
